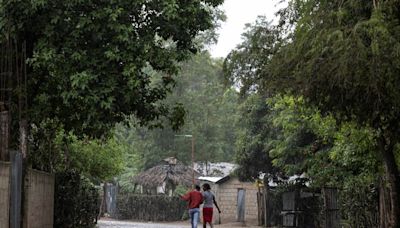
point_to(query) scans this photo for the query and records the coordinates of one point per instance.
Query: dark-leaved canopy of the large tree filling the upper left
(88, 59)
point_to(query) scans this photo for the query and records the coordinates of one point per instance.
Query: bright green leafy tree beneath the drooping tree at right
(328, 154)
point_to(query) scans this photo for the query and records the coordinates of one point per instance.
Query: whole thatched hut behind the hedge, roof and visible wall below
(165, 177)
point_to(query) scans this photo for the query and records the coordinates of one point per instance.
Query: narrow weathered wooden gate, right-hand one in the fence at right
(332, 217)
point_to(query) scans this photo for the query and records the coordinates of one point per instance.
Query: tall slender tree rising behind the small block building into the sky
(243, 69)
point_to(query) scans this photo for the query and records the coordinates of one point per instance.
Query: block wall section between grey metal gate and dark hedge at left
(39, 200)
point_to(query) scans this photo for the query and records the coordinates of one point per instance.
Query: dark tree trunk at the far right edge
(392, 176)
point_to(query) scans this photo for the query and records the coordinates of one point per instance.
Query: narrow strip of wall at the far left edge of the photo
(4, 193)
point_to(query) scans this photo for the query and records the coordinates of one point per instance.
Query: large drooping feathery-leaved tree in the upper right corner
(344, 59)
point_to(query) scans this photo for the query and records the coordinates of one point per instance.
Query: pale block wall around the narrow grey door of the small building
(227, 194)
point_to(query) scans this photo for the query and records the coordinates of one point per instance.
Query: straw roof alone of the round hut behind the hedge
(169, 170)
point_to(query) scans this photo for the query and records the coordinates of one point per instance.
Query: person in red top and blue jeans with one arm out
(194, 198)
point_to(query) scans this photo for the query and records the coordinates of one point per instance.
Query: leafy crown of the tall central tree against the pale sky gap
(245, 65)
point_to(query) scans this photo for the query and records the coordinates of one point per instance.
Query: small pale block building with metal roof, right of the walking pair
(236, 199)
